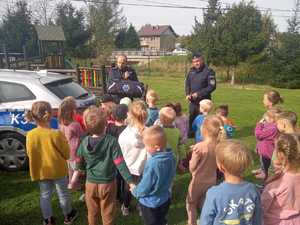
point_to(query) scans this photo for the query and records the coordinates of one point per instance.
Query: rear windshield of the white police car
(65, 88)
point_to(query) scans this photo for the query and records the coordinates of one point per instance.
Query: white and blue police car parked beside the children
(18, 91)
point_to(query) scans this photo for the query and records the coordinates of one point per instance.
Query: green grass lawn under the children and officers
(19, 198)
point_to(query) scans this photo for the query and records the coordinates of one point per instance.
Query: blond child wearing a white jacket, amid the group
(132, 146)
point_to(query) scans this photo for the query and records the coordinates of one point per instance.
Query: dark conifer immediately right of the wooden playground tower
(73, 24)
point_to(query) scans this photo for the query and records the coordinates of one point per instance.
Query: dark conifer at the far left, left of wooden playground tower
(17, 30)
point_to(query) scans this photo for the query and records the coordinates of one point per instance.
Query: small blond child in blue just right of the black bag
(151, 99)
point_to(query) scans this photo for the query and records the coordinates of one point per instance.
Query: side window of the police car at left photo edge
(12, 92)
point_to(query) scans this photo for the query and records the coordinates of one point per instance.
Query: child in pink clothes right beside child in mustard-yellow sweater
(72, 131)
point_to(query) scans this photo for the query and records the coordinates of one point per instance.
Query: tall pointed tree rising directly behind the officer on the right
(205, 34)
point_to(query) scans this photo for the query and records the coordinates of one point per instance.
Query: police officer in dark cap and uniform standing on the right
(199, 84)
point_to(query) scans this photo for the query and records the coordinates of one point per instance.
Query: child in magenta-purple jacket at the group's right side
(265, 133)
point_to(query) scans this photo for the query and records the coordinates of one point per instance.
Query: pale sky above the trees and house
(182, 20)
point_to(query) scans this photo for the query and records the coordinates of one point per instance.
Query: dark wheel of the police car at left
(12, 152)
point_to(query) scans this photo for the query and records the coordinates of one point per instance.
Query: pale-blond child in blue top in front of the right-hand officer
(205, 106)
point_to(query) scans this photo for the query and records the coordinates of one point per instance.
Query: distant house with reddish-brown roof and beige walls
(157, 38)
